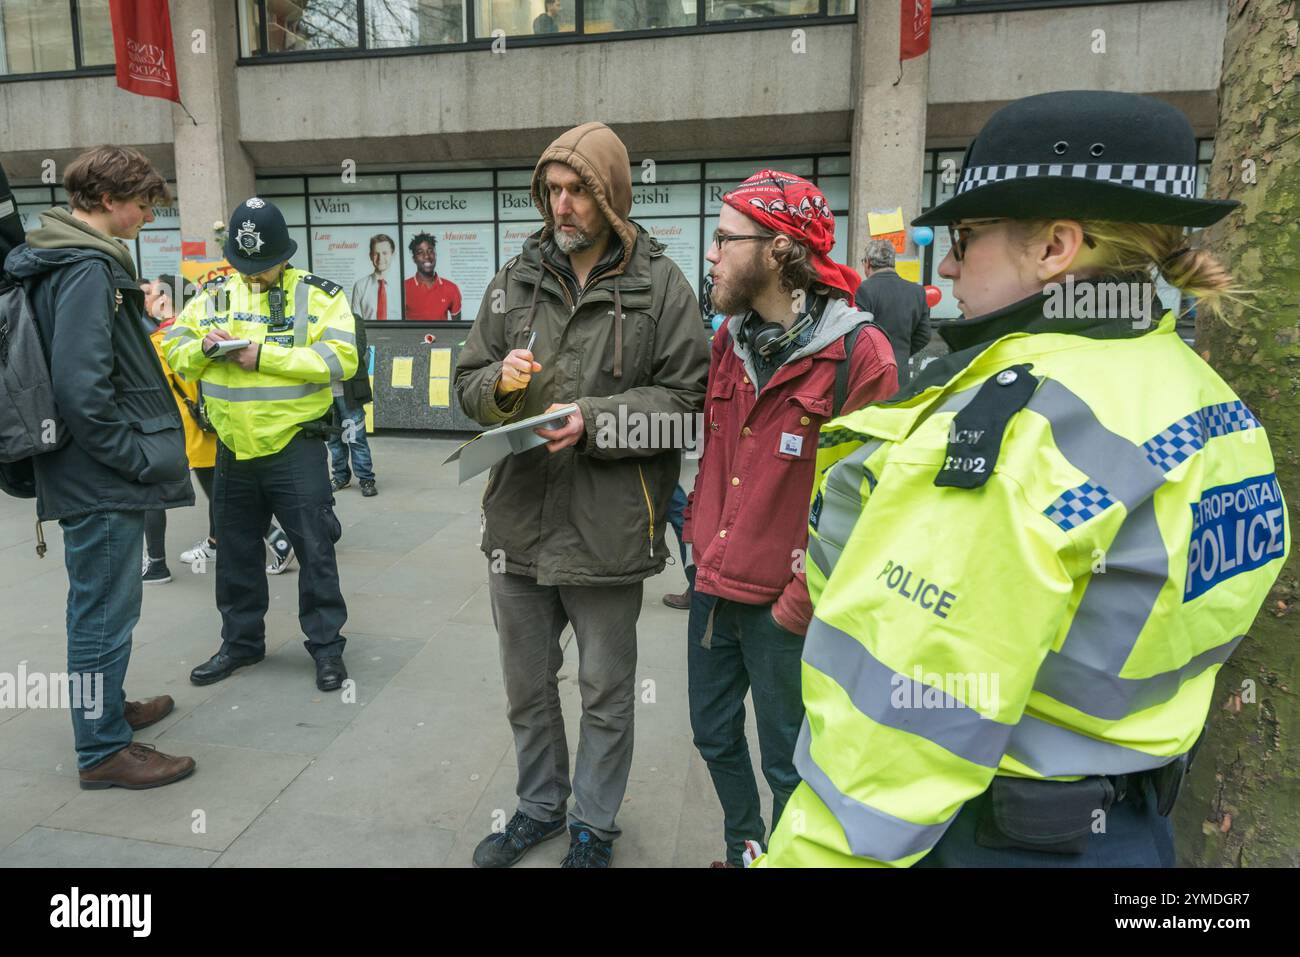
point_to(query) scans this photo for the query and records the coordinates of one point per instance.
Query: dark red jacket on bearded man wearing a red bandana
(748, 517)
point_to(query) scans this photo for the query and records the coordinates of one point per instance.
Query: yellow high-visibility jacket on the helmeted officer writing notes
(309, 345)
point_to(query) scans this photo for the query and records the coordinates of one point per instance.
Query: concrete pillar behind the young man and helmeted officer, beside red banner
(213, 170)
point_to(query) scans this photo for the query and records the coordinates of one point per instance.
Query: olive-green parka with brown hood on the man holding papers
(631, 345)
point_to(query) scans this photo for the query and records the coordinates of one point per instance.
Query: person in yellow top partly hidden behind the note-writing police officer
(201, 447)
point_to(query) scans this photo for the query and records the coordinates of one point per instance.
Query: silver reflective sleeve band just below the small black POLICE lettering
(876, 688)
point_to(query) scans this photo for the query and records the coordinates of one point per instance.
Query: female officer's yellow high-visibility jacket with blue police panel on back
(1032, 564)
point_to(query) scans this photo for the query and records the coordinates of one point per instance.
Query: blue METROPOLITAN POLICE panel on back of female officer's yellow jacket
(1236, 529)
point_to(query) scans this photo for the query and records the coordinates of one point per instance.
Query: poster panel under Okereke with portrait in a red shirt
(456, 267)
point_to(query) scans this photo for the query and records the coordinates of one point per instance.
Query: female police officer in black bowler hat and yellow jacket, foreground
(1029, 568)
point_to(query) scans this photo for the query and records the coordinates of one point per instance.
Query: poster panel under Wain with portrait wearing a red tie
(358, 258)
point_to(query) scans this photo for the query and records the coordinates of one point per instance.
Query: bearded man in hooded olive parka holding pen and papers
(574, 529)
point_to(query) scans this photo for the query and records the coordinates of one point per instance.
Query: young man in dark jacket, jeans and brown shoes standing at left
(127, 449)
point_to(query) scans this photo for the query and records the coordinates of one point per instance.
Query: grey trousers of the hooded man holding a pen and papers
(530, 620)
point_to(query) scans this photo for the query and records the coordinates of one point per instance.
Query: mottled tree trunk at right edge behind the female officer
(1242, 802)
